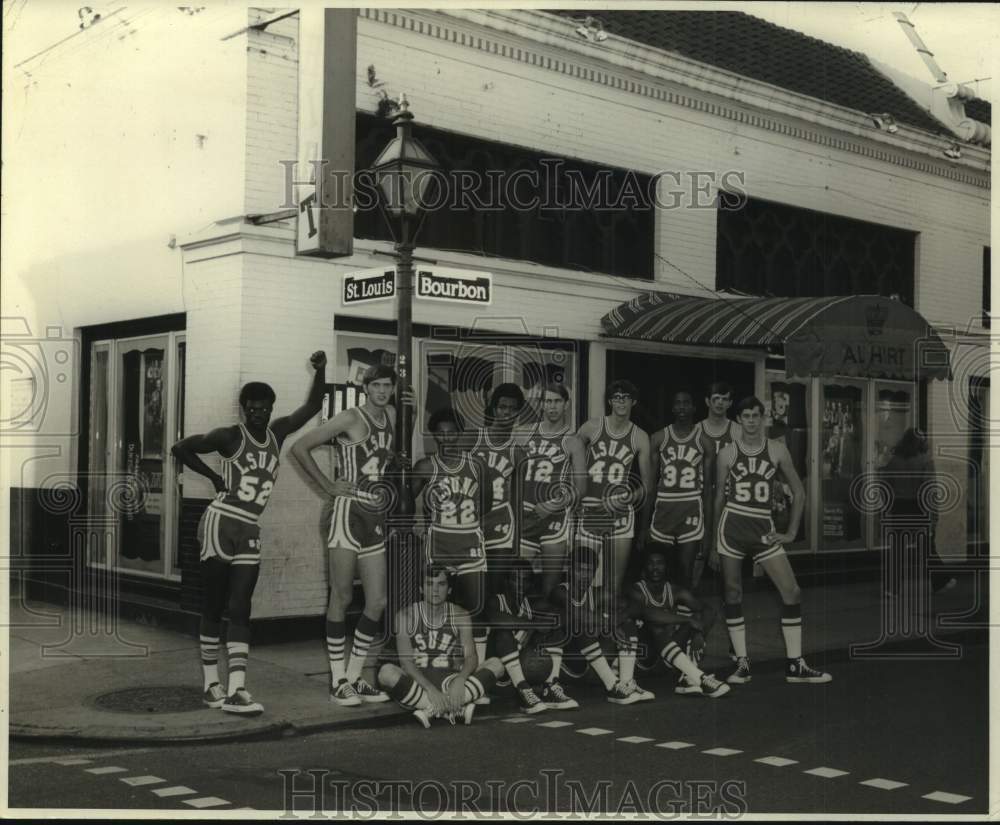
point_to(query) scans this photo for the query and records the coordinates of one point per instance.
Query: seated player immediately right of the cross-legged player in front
(519, 631)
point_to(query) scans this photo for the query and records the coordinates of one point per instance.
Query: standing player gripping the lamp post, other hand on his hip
(353, 523)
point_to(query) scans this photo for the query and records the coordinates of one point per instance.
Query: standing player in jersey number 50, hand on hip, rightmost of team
(744, 485)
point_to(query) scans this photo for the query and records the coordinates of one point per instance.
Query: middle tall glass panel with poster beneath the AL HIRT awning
(841, 459)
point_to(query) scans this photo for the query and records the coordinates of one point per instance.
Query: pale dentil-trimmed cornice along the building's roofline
(656, 74)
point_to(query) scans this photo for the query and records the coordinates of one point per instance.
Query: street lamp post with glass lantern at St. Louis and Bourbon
(404, 172)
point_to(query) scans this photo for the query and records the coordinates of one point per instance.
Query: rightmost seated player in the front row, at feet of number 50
(657, 603)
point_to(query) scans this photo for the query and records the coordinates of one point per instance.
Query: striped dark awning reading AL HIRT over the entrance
(860, 335)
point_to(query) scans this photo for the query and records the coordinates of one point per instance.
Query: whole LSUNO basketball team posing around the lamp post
(537, 547)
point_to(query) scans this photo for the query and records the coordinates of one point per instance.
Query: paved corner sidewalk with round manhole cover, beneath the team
(61, 680)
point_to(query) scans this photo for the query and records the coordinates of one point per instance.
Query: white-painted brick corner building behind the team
(756, 182)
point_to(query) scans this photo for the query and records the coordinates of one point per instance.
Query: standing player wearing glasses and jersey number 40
(613, 444)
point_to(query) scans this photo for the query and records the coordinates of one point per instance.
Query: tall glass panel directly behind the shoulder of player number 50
(786, 411)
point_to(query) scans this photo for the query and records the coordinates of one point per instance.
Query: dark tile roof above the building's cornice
(761, 50)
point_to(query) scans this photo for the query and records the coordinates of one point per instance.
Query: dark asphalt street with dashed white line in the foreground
(886, 737)
